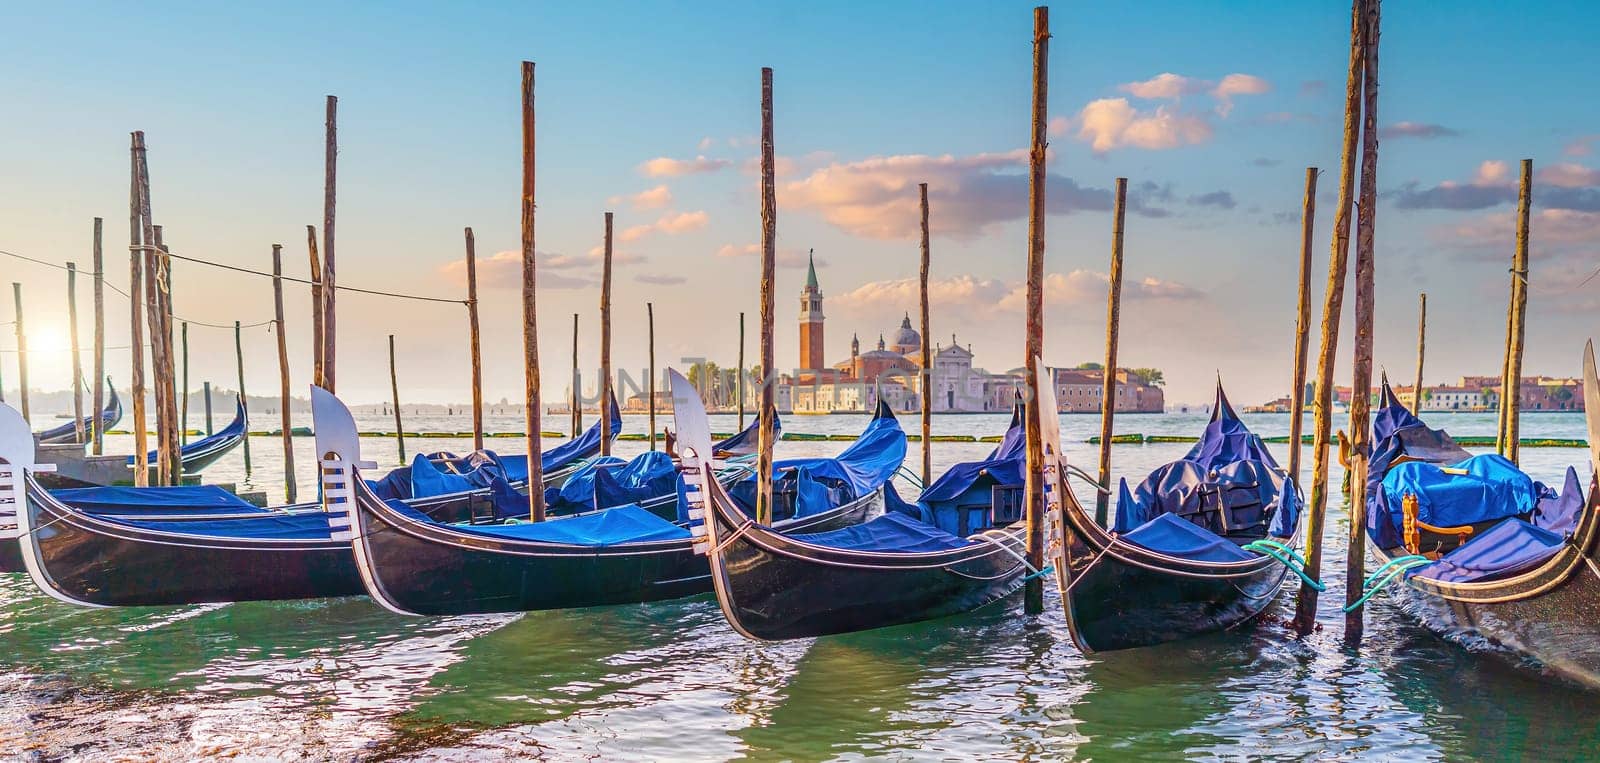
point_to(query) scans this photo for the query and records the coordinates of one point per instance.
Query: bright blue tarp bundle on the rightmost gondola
(1487, 489)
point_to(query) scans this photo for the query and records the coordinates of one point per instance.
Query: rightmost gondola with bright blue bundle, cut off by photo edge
(1482, 549)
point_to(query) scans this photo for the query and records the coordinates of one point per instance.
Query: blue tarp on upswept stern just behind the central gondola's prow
(825, 484)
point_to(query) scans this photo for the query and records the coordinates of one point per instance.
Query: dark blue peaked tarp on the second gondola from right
(1230, 482)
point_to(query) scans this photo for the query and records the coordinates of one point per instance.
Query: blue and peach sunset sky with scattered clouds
(1212, 111)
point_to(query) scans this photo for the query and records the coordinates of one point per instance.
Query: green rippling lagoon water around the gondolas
(343, 679)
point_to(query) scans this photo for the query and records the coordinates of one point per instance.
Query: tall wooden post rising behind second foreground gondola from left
(530, 335)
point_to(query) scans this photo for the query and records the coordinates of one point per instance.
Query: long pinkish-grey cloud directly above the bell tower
(878, 198)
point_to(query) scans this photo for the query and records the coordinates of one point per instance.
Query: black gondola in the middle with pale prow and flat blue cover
(887, 572)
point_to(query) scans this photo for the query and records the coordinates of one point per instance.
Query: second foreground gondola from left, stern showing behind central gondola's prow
(415, 565)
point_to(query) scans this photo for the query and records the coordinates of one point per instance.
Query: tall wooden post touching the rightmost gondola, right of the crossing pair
(1366, 287)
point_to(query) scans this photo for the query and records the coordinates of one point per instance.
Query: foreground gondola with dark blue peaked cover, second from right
(1178, 561)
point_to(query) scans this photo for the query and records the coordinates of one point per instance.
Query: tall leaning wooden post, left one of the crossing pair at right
(1334, 305)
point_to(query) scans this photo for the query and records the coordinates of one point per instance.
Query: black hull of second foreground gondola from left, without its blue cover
(431, 570)
